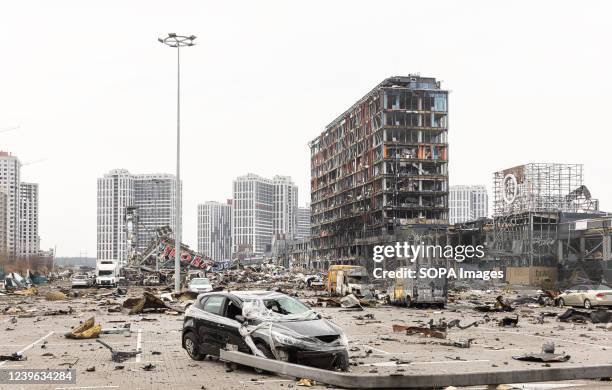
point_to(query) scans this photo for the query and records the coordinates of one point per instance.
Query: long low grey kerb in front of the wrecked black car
(395, 381)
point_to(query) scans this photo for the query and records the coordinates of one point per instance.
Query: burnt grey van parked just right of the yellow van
(417, 291)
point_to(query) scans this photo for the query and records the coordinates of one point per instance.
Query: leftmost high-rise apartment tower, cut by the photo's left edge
(10, 168)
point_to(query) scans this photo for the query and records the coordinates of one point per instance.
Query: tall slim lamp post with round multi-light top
(178, 41)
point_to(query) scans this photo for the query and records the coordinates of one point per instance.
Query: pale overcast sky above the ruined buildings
(93, 90)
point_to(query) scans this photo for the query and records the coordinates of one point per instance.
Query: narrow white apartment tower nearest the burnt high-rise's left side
(285, 206)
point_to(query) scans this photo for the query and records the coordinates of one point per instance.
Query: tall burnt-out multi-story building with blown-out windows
(379, 169)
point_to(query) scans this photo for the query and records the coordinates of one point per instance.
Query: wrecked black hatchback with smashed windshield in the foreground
(264, 323)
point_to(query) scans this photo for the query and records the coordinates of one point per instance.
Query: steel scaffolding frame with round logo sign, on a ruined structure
(527, 203)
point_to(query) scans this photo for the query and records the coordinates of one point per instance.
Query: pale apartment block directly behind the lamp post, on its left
(155, 205)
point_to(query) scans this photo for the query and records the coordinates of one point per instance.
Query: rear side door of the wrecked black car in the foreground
(210, 329)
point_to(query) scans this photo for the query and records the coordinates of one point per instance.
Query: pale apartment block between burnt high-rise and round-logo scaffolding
(467, 203)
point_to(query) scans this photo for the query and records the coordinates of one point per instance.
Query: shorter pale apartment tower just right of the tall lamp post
(215, 230)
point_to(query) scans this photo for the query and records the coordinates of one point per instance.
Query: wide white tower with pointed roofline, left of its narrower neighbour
(252, 215)
